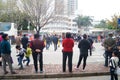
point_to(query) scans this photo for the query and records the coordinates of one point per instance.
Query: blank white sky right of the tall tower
(99, 9)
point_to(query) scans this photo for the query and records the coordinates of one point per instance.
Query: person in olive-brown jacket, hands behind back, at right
(109, 44)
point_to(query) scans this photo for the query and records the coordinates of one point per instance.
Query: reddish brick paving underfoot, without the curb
(57, 69)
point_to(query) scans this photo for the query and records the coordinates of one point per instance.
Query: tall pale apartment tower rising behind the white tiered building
(67, 7)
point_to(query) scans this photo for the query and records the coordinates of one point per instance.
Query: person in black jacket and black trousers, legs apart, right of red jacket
(84, 46)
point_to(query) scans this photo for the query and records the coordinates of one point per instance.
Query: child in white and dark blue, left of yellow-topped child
(20, 56)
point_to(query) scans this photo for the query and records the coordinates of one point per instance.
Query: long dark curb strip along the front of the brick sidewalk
(53, 75)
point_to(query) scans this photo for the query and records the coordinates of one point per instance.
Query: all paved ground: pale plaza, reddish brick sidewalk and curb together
(53, 65)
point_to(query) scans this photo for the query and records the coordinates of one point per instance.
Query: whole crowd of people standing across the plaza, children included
(35, 46)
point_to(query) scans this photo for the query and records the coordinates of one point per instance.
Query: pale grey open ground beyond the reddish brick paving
(55, 57)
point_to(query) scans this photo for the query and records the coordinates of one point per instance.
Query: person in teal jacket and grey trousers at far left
(6, 54)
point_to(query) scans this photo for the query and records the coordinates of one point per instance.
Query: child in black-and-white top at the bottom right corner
(113, 65)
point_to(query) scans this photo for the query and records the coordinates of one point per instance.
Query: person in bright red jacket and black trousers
(67, 44)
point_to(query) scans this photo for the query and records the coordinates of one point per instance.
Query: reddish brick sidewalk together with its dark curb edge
(54, 71)
